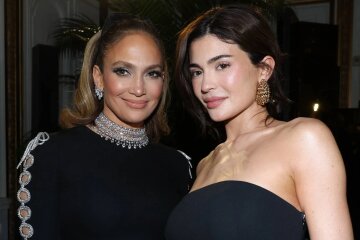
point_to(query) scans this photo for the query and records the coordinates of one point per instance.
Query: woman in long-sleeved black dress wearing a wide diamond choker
(106, 177)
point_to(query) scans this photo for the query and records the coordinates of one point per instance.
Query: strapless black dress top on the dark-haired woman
(234, 210)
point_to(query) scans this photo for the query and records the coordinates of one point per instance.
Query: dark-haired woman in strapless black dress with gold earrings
(270, 179)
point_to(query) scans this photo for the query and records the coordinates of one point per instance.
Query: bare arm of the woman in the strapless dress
(320, 181)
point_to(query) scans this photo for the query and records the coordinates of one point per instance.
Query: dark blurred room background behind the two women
(41, 47)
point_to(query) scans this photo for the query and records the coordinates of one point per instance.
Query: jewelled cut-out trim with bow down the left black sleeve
(23, 195)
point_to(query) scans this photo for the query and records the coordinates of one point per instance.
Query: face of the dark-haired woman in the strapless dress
(223, 77)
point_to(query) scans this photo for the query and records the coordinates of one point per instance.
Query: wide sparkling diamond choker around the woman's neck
(121, 136)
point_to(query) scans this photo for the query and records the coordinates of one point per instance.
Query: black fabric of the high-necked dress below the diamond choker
(84, 187)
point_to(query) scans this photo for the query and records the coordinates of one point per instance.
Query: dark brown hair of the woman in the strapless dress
(239, 24)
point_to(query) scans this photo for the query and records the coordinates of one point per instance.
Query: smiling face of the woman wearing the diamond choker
(132, 79)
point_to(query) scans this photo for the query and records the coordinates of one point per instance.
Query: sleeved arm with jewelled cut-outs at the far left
(38, 191)
